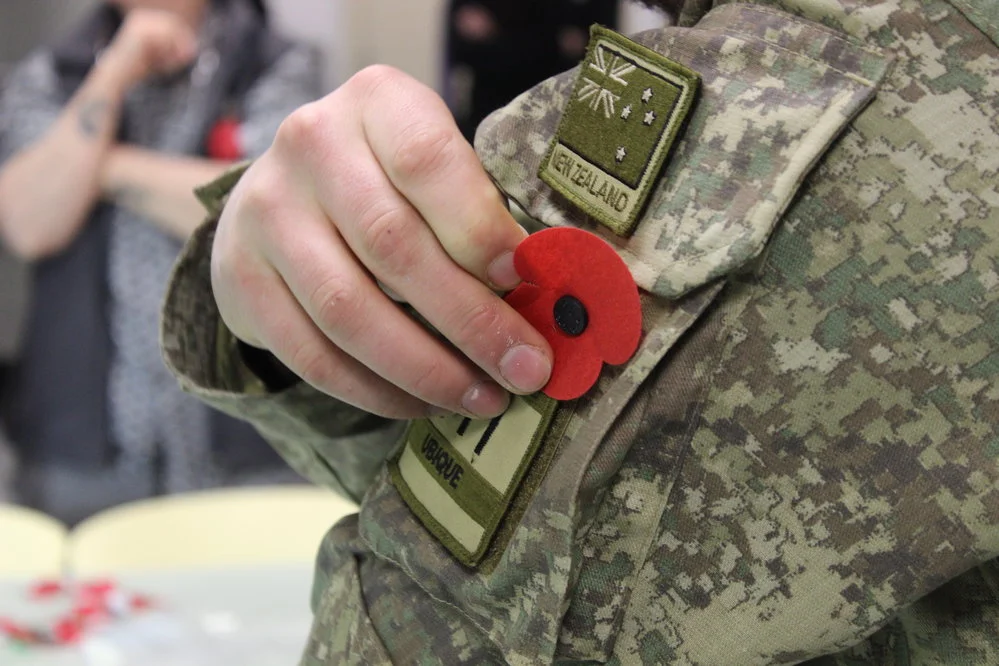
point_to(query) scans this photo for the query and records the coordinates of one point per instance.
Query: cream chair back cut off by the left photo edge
(31, 543)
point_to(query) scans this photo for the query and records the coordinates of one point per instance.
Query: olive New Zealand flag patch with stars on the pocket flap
(623, 117)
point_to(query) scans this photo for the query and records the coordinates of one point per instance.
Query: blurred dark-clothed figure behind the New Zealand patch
(496, 49)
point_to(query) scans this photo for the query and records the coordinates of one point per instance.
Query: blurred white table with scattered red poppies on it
(248, 617)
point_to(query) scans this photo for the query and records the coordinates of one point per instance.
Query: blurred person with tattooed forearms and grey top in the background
(103, 137)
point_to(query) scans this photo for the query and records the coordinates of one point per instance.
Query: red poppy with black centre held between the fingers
(580, 295)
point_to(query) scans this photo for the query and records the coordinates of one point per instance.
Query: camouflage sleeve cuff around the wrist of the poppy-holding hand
(330, 443)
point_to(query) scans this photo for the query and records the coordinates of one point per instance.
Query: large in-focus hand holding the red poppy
(374, 185)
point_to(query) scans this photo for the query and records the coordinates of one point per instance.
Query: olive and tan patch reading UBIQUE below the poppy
(459, 476)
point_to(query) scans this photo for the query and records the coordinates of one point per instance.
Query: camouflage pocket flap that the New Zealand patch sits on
(775, 92)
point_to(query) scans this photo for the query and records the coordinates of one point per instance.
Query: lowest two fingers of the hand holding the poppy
(328, 321)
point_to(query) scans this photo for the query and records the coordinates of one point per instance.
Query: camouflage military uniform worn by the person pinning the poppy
(801, 462)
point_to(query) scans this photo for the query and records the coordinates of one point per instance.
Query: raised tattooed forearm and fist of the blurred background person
(50, 183)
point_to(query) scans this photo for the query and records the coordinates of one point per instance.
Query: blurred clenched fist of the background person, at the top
(151, 42)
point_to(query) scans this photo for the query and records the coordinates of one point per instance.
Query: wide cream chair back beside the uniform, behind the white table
(219, 528)
